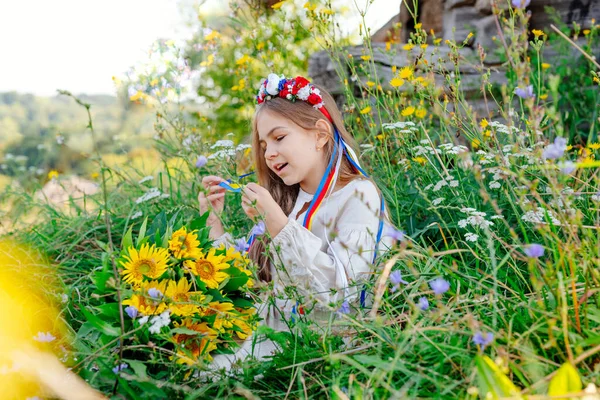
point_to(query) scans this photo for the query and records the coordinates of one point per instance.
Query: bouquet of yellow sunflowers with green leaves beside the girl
(184, 295)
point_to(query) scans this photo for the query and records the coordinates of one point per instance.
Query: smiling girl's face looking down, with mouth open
(295, 154)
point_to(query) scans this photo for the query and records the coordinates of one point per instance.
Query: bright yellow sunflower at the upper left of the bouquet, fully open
(149, 261)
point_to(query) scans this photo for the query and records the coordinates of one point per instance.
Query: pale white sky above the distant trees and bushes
(79, 45)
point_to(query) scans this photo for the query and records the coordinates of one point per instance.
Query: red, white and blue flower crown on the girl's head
(292, 89)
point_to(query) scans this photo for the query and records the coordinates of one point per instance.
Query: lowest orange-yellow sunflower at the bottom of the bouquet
(192, 347)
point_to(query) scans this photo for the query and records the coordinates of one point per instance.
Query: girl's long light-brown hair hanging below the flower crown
(305, 116)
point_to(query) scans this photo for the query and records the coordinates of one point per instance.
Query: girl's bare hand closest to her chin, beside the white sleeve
(257, 201)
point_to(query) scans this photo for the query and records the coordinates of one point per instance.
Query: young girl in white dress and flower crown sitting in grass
(323, 214)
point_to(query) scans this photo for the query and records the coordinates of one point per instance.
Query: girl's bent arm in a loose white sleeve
(347, 259)
